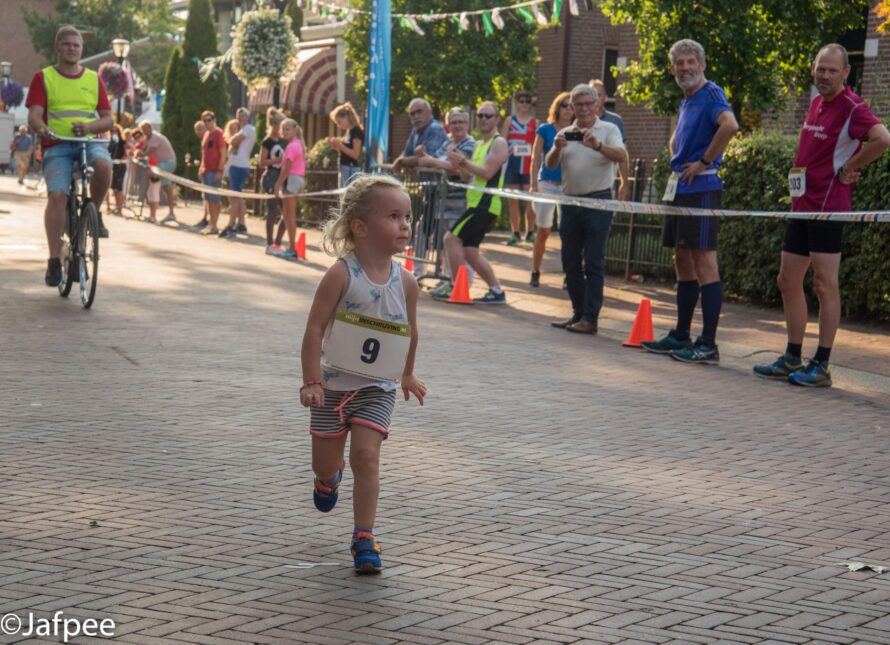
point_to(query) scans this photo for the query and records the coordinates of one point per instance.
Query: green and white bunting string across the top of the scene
(541, 12)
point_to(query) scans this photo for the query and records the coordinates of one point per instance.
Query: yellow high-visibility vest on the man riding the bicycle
(70, 100)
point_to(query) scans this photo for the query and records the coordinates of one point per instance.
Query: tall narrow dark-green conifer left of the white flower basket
(185, 95)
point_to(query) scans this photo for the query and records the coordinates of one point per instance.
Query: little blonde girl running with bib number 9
(360, 341)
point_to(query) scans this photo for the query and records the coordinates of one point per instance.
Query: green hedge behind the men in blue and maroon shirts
(755, 175)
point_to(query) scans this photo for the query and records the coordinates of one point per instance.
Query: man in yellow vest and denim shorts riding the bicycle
(69, 101)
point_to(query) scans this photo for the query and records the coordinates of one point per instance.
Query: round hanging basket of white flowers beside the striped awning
(263, 47)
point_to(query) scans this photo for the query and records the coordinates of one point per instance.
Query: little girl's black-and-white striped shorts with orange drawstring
(370, 407)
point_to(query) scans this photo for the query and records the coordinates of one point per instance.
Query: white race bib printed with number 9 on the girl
(367, 346)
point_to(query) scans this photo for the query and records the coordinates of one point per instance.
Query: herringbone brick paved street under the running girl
(554, 489)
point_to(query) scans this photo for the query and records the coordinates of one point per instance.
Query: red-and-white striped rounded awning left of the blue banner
(311, 89)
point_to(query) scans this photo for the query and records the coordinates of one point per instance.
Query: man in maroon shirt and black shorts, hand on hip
(839, 137)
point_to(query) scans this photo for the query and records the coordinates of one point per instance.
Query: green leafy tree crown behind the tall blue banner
(446, 66)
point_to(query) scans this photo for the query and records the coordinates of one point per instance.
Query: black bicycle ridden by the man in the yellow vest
(80, 240)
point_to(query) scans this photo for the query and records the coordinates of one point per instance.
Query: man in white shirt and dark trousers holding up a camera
(588, 150)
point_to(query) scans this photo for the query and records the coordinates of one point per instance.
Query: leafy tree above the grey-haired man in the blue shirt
(759, 52)
